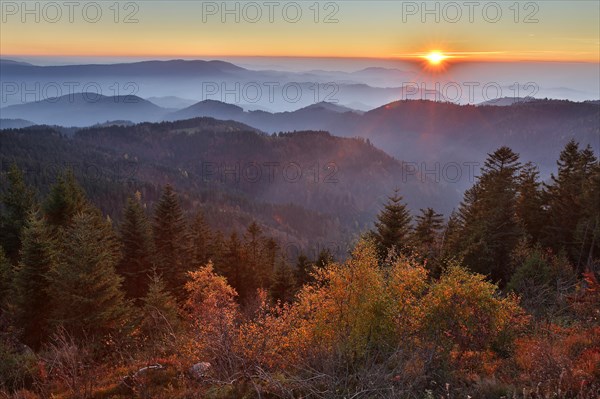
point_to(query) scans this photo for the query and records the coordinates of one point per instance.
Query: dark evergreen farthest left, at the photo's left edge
(17, 201)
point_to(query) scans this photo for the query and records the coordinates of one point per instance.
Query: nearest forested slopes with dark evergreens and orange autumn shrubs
(163, 293)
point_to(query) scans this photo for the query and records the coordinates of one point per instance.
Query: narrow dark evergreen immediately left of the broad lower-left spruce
(30, 297)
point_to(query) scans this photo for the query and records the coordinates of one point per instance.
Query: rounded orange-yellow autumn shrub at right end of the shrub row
(468, 322)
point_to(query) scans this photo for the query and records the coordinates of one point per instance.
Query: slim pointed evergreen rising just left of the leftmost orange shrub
(170, 241)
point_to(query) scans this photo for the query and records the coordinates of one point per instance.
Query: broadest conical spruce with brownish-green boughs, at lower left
(84, 286)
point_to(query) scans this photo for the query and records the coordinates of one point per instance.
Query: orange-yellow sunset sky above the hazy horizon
(558, 31)
